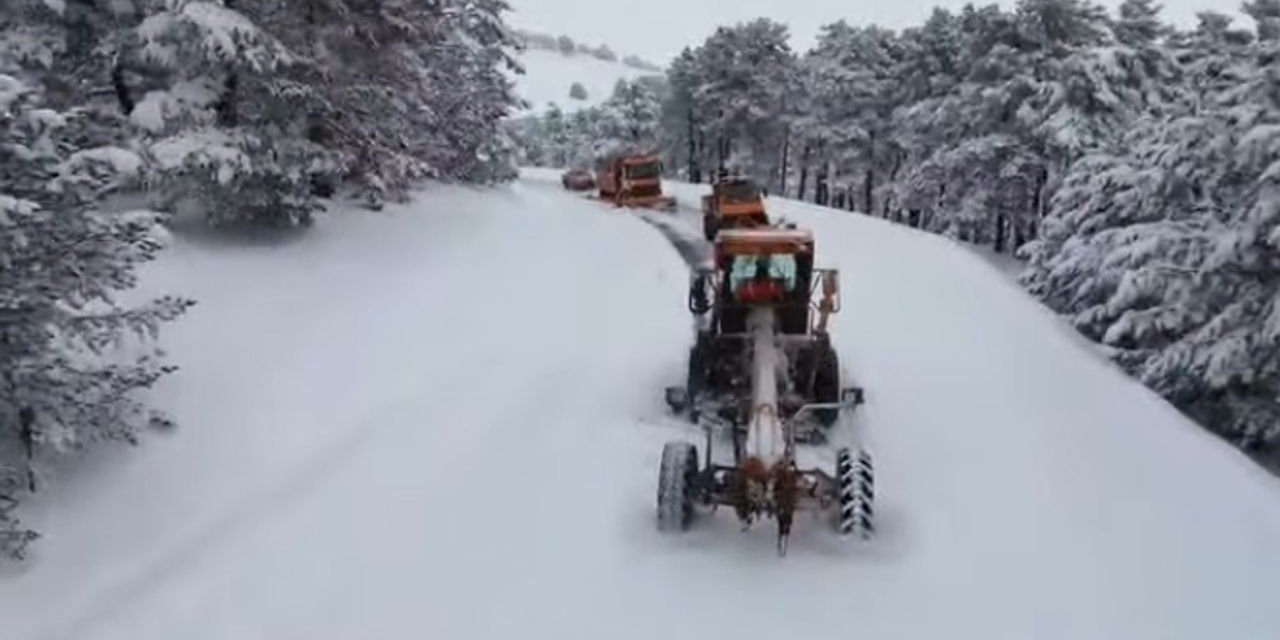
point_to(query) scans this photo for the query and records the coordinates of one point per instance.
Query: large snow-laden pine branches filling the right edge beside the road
(1165, 246)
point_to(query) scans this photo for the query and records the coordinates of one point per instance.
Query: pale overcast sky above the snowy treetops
(660, 29)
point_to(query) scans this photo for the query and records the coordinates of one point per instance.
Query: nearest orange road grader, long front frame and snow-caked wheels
(764, 367)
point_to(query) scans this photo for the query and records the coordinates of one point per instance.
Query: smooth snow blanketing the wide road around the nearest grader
(445, 422)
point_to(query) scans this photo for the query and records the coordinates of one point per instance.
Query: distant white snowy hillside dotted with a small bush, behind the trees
(550, 75)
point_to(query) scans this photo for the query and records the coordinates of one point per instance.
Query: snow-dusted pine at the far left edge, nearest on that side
(68, 369)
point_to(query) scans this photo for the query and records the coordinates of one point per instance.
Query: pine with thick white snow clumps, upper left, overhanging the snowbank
(226, 136)
